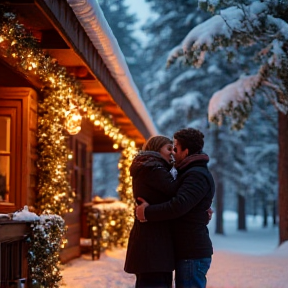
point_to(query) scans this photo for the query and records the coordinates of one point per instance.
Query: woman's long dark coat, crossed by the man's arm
(150, 246)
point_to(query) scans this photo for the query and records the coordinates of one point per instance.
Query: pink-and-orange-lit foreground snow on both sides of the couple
(228, 270)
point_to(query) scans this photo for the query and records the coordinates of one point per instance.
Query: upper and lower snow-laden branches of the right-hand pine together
(241, 25)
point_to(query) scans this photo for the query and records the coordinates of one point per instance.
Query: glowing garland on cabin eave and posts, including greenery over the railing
(61, 97)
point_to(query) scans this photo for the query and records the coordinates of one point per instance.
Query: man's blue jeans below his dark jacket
(191, 273)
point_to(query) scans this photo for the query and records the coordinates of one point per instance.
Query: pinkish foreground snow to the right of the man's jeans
(231, 270)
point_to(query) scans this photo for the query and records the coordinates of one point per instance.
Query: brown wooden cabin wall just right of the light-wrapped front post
(80, 169)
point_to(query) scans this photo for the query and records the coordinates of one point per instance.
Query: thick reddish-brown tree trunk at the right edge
(283, 177)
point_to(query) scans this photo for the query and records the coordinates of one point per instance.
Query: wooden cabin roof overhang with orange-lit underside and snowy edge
(61, 34)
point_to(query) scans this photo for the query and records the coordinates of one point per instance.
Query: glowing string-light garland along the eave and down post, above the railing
(21, 50)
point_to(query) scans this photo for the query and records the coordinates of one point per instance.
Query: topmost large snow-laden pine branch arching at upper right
(234, 26)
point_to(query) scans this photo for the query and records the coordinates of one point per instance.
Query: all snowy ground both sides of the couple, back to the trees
(250, 259)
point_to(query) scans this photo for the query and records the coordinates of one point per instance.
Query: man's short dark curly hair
(190, 138)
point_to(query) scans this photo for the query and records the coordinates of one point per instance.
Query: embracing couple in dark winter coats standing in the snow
(170, 232)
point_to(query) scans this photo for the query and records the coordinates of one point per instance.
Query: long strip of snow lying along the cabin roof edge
(92, 19)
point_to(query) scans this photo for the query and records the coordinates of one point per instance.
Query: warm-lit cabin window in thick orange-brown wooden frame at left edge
(18, 127)
